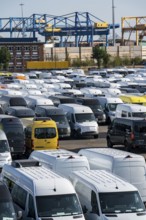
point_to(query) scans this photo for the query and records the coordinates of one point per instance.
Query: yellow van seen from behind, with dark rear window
(41, 134)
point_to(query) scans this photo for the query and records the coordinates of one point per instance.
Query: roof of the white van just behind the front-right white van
(111, 153)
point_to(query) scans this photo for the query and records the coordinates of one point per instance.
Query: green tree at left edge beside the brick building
(4, 58)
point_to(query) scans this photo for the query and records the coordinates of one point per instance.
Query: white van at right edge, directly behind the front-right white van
(129, 166)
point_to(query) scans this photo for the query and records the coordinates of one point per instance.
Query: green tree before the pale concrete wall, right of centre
(100, 55)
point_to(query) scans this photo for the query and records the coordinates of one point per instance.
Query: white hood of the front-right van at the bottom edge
(123, 216)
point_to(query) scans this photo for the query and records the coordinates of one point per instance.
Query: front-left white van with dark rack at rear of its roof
(40, 193)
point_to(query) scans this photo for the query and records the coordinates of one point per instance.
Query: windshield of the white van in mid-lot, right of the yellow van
(84, 117)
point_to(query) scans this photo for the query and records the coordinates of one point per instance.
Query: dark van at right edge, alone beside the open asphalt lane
(128, 132)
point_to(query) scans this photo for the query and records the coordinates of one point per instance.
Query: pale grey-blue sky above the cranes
(99, 8)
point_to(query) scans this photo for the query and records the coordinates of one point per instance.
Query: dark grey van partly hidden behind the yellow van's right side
(58, 115)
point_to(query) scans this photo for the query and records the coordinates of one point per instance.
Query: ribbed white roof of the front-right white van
(103, 181)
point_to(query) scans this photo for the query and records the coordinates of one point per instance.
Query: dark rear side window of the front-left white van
(19, 196)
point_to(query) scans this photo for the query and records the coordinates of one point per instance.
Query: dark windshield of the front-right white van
(121, 202)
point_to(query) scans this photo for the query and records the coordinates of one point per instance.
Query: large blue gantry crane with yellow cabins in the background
(78, 26)
